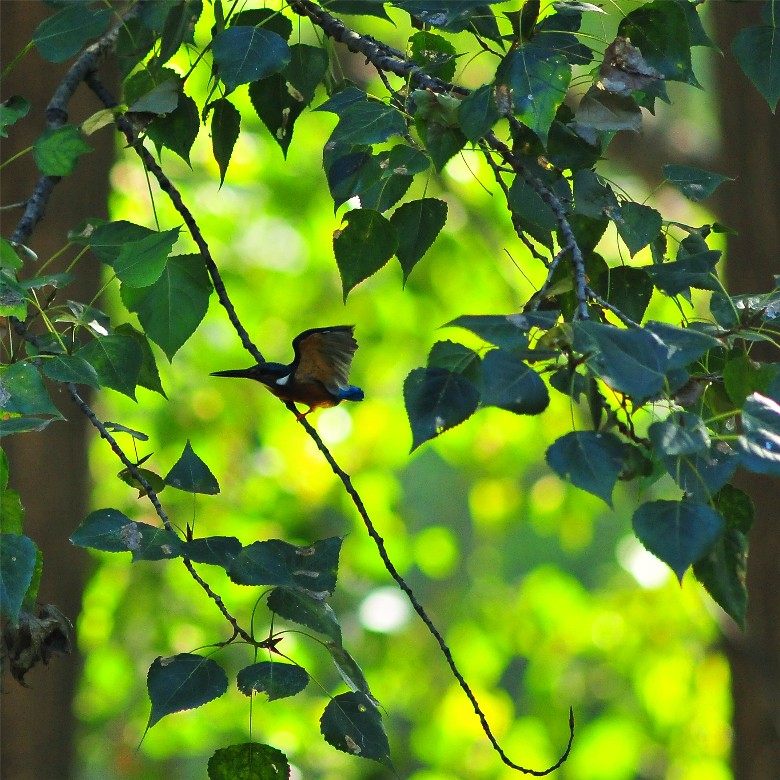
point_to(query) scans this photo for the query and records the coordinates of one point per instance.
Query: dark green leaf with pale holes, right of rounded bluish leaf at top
(280, 99)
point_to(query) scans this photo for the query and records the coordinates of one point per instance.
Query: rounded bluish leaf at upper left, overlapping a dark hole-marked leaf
(245, 54)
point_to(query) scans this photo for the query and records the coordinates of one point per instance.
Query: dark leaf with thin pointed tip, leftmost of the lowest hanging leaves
(183, 682)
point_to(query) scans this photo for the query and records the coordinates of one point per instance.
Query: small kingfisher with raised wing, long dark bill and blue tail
(319, 373)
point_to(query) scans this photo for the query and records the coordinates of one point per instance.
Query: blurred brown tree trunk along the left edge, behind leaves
(50, 468)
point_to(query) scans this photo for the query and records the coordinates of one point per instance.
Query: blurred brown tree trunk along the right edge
(751, 205)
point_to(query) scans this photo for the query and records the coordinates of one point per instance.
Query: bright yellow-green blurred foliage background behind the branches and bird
(544, 596)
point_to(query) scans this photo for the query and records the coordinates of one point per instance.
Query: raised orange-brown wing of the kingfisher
(325, 355)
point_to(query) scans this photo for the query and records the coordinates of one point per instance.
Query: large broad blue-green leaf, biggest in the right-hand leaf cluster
(632, 361)
